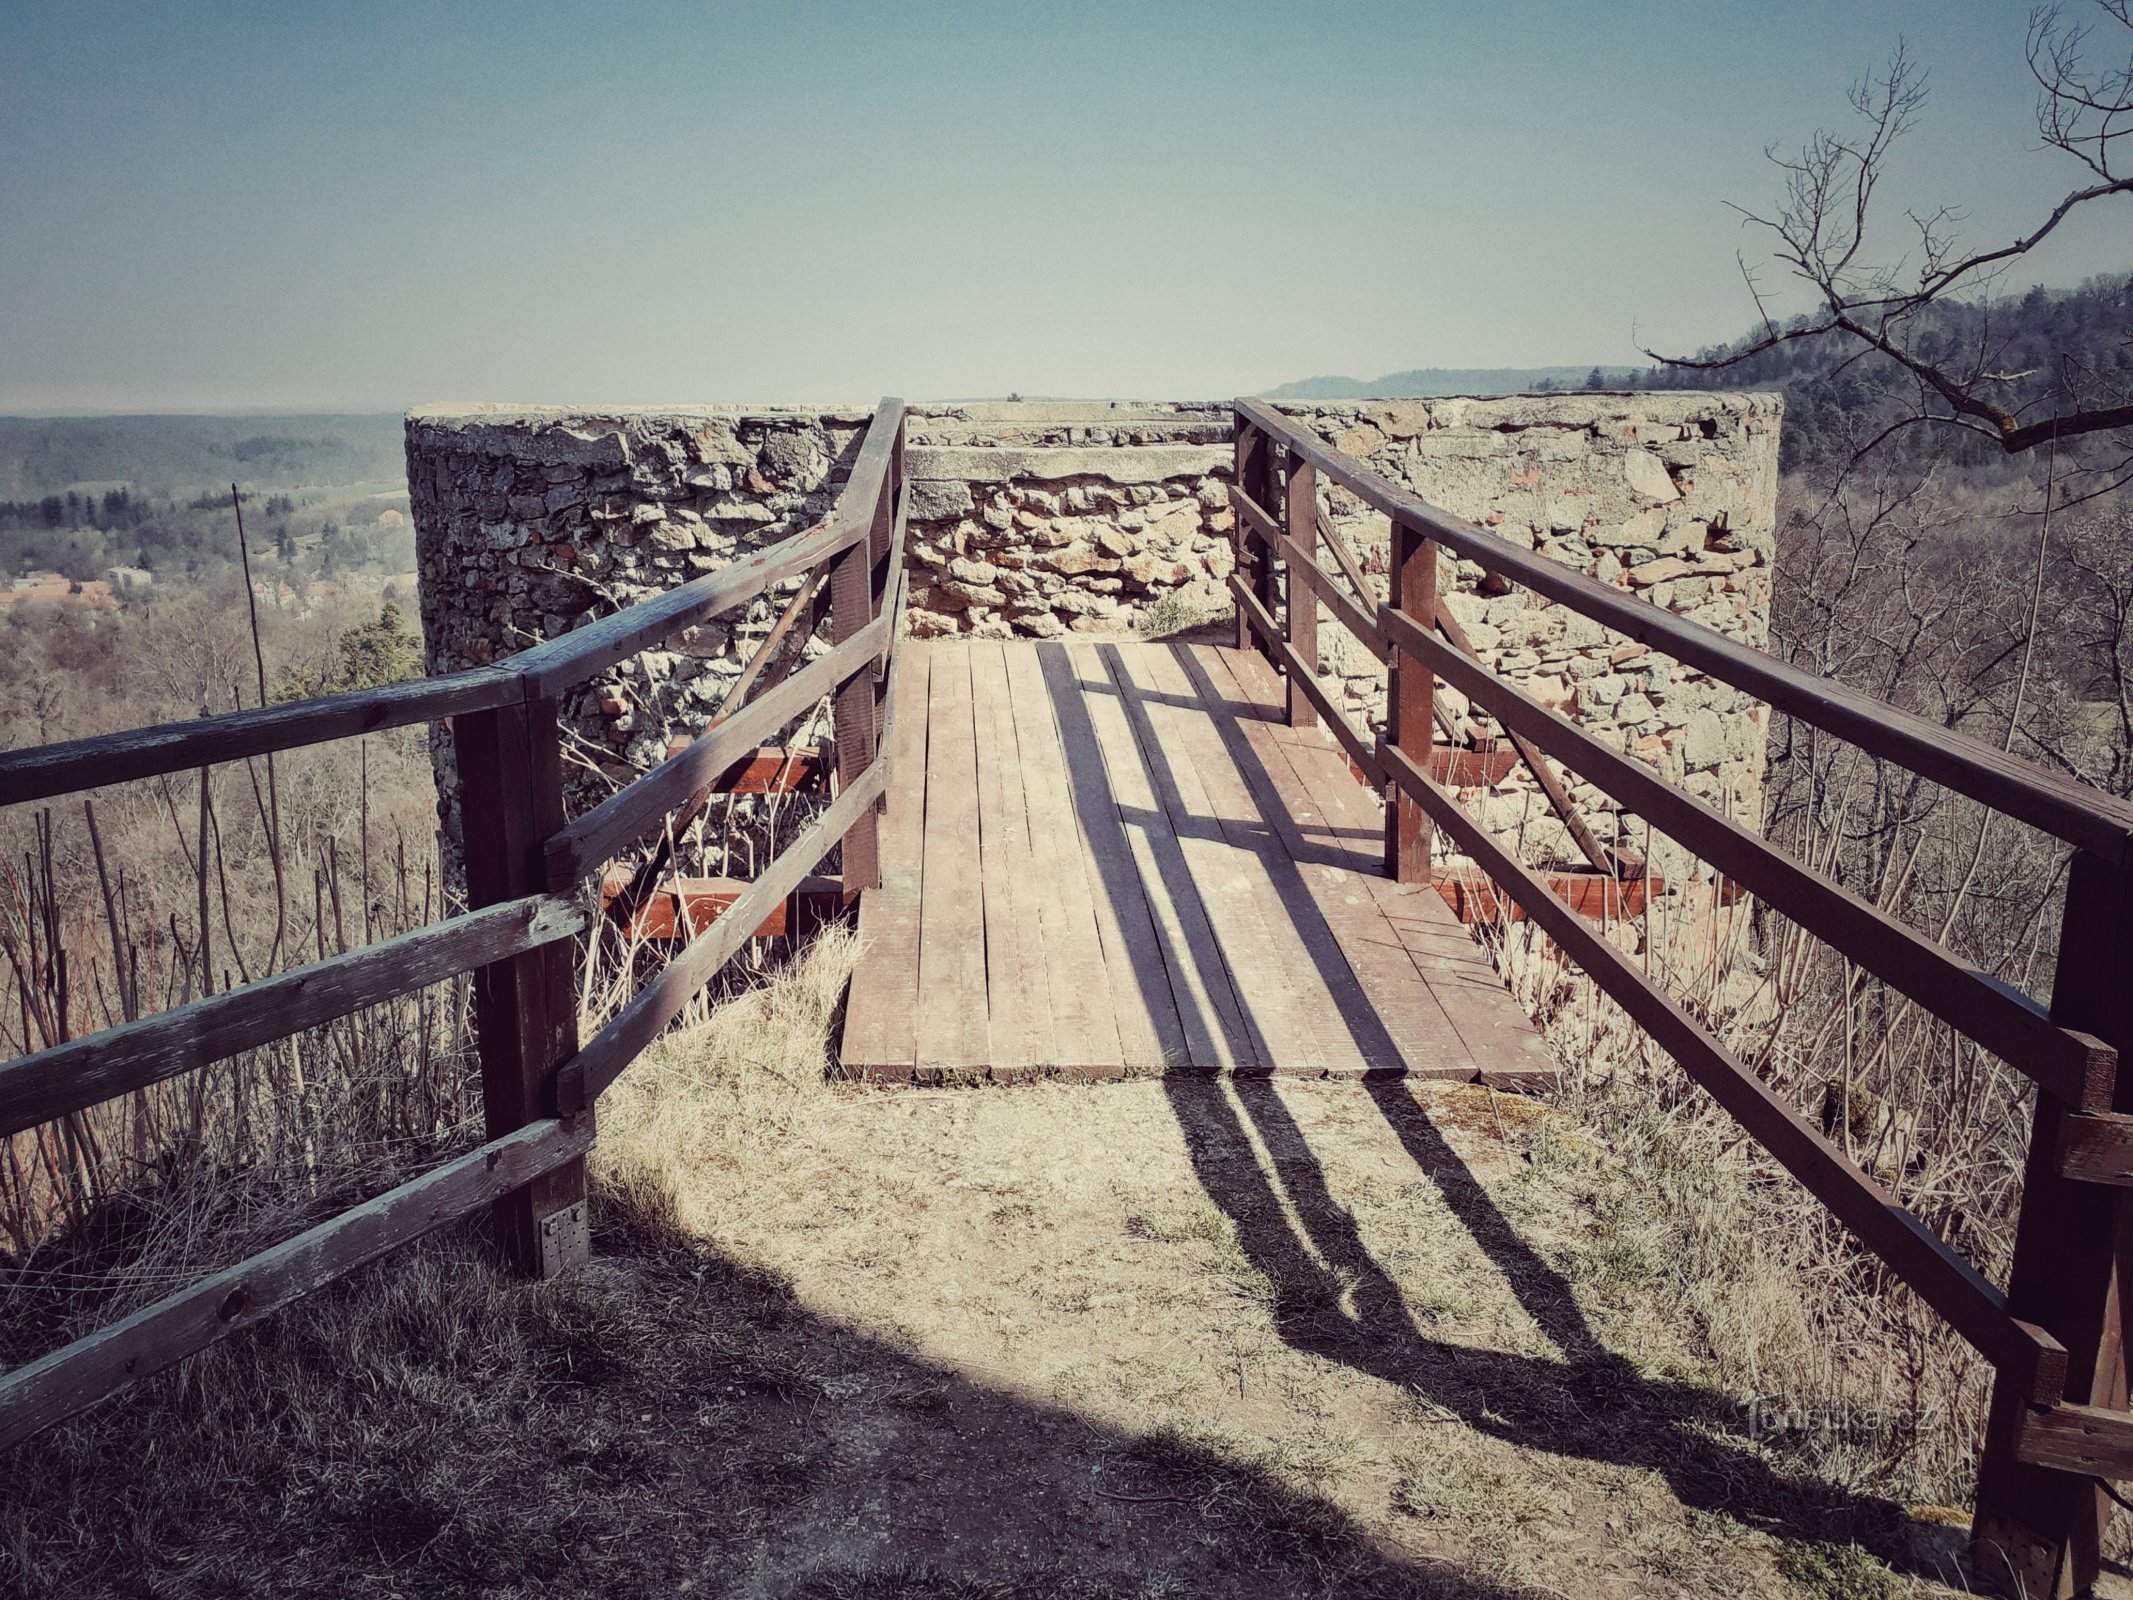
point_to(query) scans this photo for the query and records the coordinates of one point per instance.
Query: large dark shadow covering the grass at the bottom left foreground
(660, 1422)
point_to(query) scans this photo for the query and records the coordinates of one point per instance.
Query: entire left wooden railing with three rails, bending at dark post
(526, 867)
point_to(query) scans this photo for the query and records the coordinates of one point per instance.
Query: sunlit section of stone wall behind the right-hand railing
(1671, 496)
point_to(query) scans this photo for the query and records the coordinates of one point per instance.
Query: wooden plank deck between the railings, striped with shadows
(1110, 859)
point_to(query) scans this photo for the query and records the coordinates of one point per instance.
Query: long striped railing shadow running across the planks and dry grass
(1332, 1298)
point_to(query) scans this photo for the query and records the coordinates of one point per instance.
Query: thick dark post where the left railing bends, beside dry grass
(526, 1010)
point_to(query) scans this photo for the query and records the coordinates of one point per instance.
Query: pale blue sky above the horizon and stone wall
(374, 206)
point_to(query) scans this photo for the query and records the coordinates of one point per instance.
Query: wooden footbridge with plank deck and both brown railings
(1110, 859)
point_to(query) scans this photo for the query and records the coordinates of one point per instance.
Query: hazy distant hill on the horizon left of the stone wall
(178, 455)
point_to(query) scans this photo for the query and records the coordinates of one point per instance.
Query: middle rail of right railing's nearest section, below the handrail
(2074, 1066)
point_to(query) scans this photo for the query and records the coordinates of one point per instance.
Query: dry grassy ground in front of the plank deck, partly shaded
(1151, 1339)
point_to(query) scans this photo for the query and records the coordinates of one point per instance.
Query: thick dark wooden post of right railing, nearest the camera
(2038, 1531)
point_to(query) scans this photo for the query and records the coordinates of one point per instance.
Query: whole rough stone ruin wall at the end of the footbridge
(1044, 519)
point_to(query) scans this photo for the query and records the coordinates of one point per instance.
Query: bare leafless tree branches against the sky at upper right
(1880, 306)
